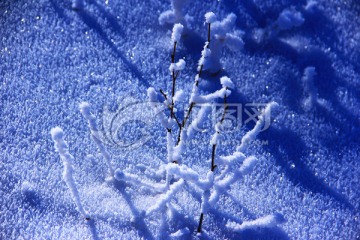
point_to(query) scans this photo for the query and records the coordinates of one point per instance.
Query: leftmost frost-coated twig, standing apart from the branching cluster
(61, 147)
